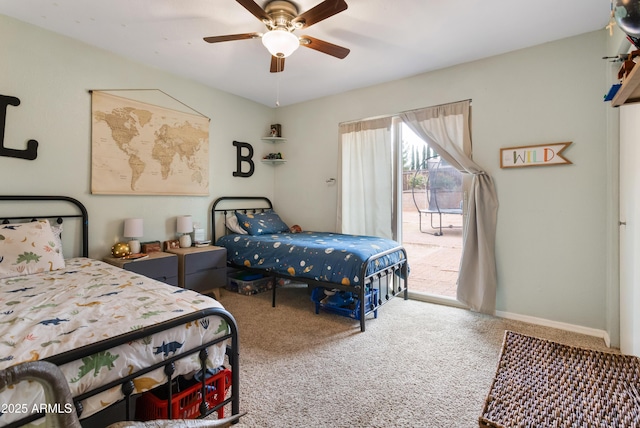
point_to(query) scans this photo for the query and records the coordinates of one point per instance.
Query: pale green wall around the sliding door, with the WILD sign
(552, 232)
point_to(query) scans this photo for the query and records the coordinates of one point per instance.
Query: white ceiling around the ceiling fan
(389, 39)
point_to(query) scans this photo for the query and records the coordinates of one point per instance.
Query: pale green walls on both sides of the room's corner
(553, 243)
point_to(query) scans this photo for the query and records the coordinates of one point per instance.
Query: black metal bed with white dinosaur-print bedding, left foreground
(113, 333)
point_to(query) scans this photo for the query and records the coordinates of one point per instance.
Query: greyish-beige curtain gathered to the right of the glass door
(446, 129)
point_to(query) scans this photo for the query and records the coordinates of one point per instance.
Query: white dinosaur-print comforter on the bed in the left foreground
(88, 301)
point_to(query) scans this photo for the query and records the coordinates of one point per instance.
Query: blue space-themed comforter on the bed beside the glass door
(321, 256)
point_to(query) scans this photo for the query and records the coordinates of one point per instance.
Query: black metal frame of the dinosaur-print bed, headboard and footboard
(126, 383)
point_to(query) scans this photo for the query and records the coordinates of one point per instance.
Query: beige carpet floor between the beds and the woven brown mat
(417, 364)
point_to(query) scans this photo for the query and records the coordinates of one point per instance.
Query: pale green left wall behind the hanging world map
(52, 76)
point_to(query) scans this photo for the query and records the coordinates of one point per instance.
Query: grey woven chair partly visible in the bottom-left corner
(57, 391)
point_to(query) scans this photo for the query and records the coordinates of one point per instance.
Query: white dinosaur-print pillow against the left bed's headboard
(27, 248)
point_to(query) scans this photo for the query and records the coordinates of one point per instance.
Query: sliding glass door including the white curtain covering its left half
(394, 185)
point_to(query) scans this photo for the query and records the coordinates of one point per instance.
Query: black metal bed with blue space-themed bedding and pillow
(337, 262)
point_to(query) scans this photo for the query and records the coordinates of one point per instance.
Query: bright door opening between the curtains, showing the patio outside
(432, 218)
